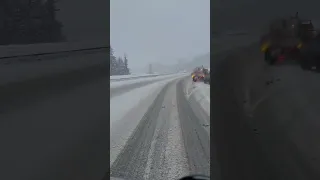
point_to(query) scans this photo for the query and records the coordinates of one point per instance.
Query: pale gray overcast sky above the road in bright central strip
(159, 30)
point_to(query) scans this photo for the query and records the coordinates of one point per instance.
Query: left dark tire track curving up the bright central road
(132, 161)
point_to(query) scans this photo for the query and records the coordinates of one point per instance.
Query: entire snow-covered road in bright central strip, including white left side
(159, 131)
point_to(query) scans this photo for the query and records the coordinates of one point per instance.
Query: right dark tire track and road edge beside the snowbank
(196, 132)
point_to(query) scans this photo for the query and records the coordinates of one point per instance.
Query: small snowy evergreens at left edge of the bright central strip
(118, 66)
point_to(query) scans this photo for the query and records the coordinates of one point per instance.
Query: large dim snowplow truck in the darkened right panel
(285, 38)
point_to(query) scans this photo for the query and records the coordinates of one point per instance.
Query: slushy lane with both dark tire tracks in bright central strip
(169, 142)
